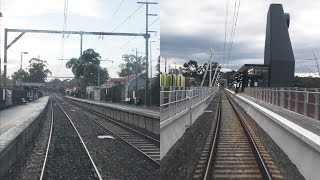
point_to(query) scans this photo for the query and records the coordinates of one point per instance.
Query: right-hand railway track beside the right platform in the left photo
(145, 144)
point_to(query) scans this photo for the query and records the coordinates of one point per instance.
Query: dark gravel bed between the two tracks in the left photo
(114, 158)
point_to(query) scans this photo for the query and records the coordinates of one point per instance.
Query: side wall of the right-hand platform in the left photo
(142, 120)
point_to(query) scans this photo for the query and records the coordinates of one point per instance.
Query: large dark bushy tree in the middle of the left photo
(86, 68)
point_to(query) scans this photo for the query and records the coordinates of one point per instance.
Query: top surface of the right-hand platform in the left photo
(129, 107)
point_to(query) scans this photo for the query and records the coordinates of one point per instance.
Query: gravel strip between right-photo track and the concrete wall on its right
(285, 166)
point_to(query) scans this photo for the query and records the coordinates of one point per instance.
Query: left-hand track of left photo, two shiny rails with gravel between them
(67, 157)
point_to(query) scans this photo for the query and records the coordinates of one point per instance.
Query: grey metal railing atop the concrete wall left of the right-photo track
(173, 102)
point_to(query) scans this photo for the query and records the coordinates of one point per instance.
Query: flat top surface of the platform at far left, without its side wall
(14, 120)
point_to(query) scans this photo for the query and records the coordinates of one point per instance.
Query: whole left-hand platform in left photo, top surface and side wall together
(17, 127)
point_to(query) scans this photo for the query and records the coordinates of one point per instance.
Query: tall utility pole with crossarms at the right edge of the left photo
(147, 48)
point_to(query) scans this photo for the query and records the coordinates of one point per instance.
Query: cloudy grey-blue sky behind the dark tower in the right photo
(189, 29)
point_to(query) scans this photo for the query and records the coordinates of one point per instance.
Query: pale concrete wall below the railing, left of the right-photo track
(173, 128)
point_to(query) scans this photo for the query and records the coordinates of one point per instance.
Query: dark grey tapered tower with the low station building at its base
(279, 61)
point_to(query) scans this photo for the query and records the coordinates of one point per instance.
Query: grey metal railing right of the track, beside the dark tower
(300, 100)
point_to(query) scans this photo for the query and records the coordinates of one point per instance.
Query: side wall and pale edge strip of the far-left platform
(13, 145)
